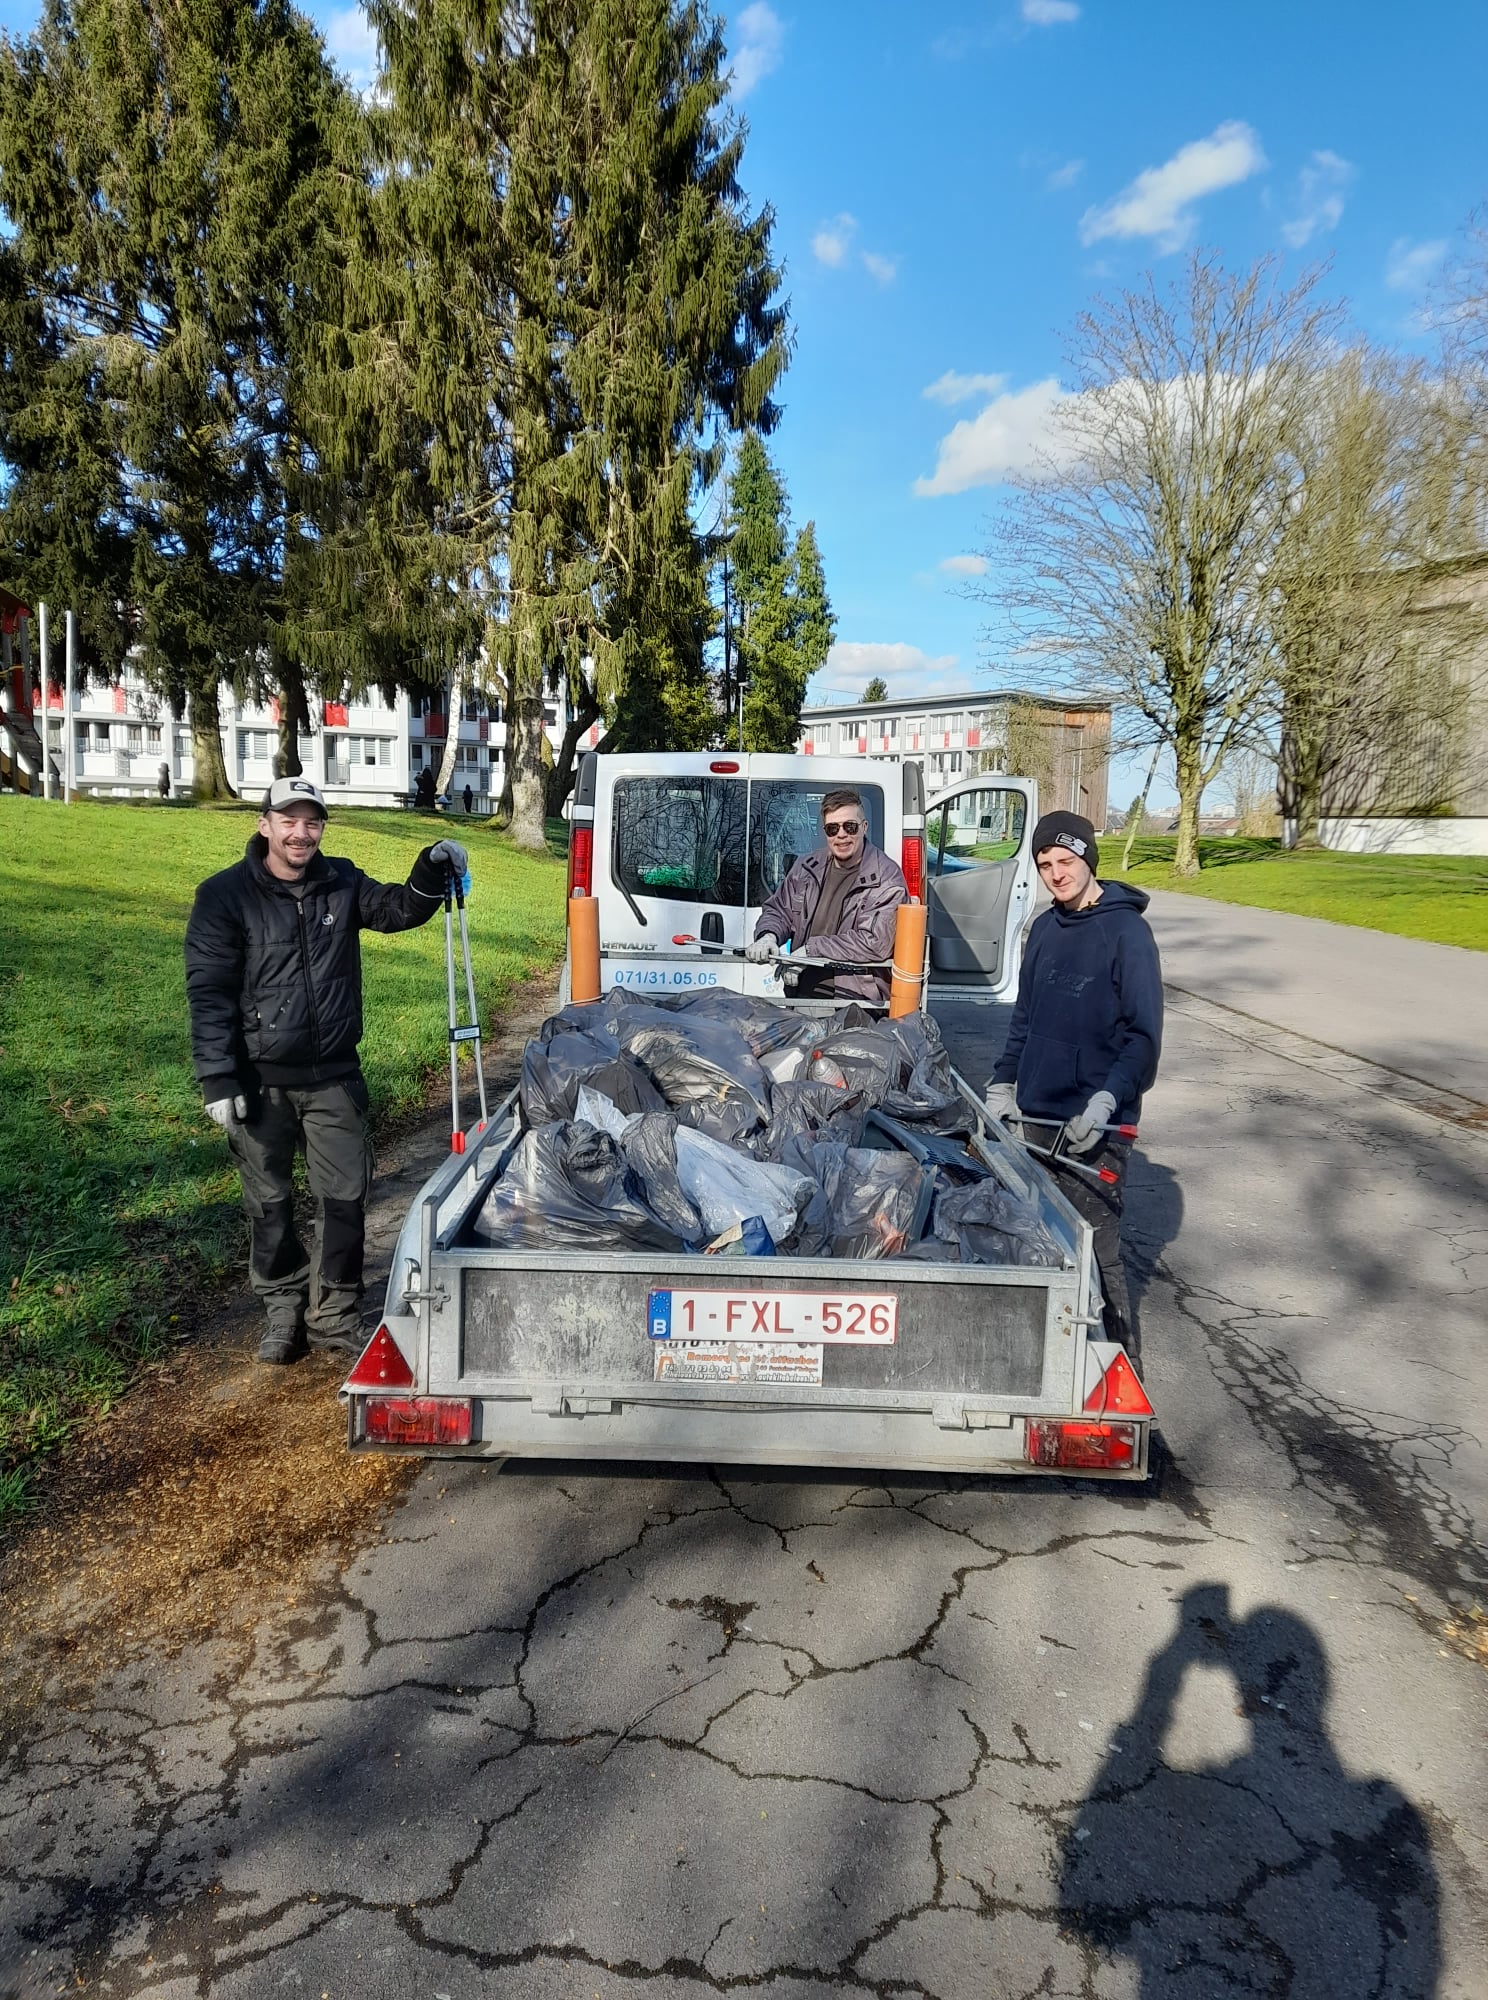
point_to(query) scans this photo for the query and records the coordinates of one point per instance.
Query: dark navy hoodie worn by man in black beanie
(1089, 1011)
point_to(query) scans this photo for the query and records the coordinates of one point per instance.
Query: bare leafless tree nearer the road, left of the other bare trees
(1135, 555)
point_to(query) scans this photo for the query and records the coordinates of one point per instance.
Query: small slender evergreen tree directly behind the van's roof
(785, 617)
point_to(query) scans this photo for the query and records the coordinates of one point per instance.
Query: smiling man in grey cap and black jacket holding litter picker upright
(275, 989)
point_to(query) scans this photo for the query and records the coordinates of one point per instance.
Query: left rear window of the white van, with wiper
(681, 839)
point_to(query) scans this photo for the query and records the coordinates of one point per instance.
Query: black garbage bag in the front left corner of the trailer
(567, 1187)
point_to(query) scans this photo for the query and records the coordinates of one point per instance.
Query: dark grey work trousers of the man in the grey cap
(327, 1125)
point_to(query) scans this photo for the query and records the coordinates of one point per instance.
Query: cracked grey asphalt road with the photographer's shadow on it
(587, 1731)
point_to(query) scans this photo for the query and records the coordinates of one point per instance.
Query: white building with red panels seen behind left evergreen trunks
(361, 753)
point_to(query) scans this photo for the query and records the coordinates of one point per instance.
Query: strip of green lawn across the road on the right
(1411, 895)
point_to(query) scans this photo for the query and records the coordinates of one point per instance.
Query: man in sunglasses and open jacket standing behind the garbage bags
(837, 903)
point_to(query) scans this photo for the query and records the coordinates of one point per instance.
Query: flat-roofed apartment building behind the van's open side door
(1061, 743)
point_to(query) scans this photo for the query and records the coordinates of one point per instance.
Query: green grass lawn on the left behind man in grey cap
(119, 1207)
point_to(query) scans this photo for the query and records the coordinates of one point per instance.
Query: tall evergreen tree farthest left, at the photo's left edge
(165, 171)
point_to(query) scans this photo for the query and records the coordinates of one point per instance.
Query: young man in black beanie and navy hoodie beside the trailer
(1085, 1037)
